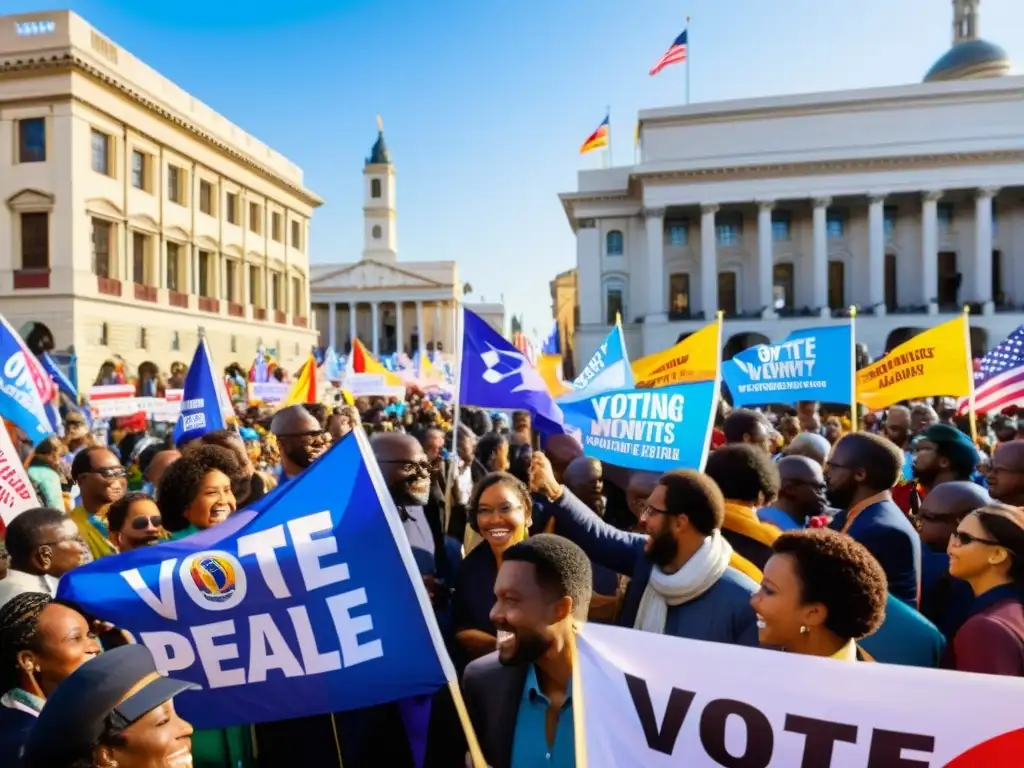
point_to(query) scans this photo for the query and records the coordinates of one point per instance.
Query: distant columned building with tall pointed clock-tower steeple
(391, 307)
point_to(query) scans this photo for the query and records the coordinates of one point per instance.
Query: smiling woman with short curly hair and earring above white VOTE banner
(822, 592)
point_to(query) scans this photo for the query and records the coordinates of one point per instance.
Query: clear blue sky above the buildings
(486, 104)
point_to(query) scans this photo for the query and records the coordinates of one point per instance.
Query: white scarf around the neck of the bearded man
(698, 576)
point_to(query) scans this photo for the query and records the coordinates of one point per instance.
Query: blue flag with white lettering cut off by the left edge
(23, 381)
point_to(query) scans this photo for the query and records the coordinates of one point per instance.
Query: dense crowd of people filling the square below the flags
(902, 542)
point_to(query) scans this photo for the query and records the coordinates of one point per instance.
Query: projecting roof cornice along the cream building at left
(67, 63)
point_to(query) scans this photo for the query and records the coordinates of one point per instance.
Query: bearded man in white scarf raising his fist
(686, 581)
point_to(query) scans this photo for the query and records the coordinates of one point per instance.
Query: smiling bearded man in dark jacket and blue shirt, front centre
(542, 590)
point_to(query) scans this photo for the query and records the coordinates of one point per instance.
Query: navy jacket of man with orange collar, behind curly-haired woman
(888, 535)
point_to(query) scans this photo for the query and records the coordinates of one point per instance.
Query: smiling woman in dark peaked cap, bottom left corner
(115, 711)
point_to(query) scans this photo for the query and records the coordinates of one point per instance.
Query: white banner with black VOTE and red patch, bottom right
(673, 703)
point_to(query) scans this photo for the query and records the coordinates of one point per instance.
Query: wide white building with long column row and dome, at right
(782, 212)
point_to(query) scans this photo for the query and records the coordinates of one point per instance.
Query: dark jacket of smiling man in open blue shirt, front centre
(493, 693)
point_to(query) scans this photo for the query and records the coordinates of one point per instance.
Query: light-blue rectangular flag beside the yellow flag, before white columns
(816, 364)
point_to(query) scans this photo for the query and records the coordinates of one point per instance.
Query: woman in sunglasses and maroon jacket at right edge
(988, 552)
